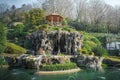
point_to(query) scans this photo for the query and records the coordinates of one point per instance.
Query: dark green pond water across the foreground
(22, 74)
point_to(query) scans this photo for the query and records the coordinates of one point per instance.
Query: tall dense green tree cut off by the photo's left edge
(2, 38)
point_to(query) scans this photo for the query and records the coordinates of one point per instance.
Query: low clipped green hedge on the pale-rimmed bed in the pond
(55, 67)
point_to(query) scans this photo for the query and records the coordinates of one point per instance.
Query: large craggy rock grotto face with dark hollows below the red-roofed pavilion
(55, 42)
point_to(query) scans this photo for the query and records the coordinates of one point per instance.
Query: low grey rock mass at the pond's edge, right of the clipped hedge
(90, 62)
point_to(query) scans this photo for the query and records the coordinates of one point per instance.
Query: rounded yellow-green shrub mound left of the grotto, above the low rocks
(14, 49)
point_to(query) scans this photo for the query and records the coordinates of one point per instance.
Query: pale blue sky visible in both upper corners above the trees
(18, 3)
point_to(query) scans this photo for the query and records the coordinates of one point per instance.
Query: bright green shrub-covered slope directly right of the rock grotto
(92, 44)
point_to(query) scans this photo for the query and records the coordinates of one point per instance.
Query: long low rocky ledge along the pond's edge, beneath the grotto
(34, 61)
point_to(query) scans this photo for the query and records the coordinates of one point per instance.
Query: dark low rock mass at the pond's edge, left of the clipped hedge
(25, 61)
